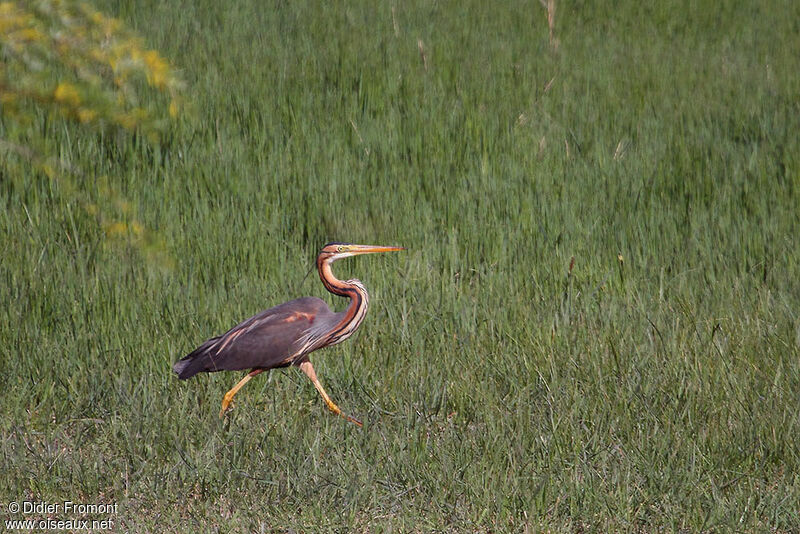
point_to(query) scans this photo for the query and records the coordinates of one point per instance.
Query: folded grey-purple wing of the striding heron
(269, 339)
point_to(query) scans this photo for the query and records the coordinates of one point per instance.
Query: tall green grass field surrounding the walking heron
(655, 387)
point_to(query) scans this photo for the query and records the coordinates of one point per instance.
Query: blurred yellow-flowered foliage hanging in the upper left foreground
(64, 59)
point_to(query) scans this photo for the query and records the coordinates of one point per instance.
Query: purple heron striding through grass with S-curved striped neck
(286, 334)
